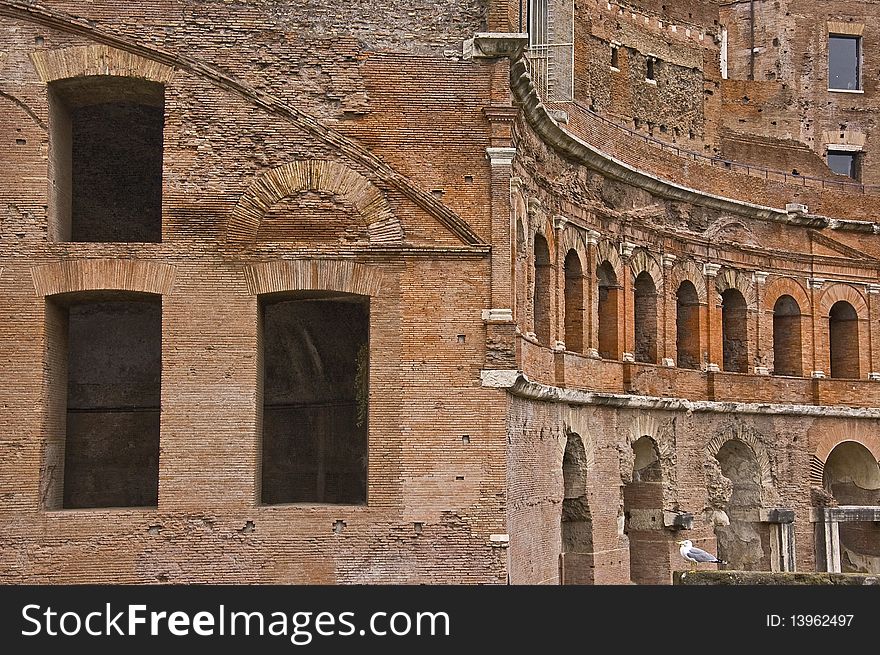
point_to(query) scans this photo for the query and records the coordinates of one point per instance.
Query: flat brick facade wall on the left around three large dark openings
(255, 91)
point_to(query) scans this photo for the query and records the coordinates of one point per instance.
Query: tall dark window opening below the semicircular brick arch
(315, 359)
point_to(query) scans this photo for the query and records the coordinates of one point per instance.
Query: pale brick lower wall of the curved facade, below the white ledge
(698, 476)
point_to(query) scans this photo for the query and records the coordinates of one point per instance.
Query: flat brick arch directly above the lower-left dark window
(103, 274)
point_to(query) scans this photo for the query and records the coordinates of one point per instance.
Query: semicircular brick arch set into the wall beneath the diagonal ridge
(313, 175)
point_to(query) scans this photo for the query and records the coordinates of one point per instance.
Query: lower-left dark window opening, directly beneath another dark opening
(113, 345)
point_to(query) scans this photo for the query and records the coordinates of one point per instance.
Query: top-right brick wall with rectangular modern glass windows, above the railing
(791, 79)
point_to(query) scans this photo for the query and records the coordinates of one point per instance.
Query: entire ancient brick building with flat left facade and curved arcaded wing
(485, 291)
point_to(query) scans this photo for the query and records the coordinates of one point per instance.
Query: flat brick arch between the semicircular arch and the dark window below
(313, 274)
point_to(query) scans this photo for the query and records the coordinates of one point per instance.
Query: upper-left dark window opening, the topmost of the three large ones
(106, 159)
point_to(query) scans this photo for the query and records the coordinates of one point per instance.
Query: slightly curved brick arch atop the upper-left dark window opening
(96, 59)
